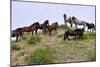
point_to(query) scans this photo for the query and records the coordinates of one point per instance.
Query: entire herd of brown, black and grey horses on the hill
(46, 27)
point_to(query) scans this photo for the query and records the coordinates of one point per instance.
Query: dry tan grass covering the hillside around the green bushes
(64, 51)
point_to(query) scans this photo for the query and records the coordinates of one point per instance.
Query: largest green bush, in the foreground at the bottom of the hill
(40, 56)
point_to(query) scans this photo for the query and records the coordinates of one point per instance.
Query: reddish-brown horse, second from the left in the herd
(31, 28)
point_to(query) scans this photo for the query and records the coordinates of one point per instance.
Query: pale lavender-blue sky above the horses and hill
(27, 13)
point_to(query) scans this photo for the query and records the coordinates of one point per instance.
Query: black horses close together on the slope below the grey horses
(76, 33)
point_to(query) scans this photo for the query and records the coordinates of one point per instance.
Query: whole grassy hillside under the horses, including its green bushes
(42, 49)
